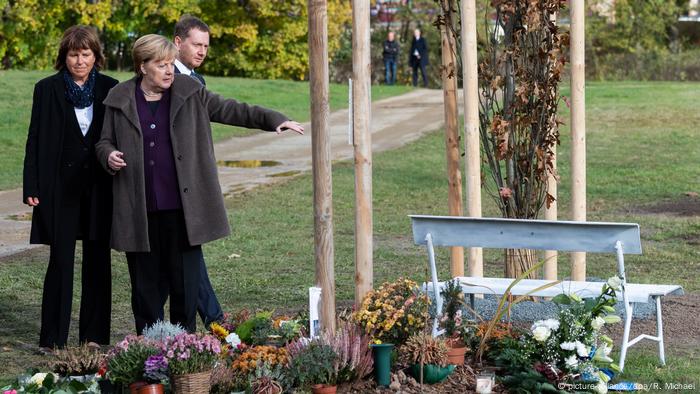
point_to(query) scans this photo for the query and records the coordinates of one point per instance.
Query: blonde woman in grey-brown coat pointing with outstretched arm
(157, 143)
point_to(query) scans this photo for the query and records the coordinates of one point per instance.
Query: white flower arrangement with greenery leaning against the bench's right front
(567, 350)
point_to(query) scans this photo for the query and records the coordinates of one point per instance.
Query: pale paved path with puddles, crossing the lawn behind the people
(395, 122)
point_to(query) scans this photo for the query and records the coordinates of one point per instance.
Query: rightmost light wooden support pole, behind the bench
(578, 129)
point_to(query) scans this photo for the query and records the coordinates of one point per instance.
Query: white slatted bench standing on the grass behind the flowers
(618, 238)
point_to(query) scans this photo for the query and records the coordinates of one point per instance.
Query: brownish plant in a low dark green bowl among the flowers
(427, 358)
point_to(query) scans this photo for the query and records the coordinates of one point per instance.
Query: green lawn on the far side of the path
(291, 98)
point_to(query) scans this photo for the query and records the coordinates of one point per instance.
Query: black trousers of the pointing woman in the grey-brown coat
(172, 265)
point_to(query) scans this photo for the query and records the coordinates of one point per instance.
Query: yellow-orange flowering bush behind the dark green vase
(393, 312)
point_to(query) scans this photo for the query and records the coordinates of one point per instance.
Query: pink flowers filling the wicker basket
(190, 353)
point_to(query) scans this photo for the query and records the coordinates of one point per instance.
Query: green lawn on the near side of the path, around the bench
(643, 149)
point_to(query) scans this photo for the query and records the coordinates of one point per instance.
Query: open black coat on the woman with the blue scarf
(52, 121)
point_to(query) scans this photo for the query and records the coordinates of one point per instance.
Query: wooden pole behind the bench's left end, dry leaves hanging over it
(454, 174)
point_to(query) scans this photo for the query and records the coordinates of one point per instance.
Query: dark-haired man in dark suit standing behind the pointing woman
(192, 40)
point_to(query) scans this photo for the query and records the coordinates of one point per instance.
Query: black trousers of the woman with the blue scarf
(96, 294)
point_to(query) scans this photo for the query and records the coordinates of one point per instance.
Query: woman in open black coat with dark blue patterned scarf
(70, 193)
